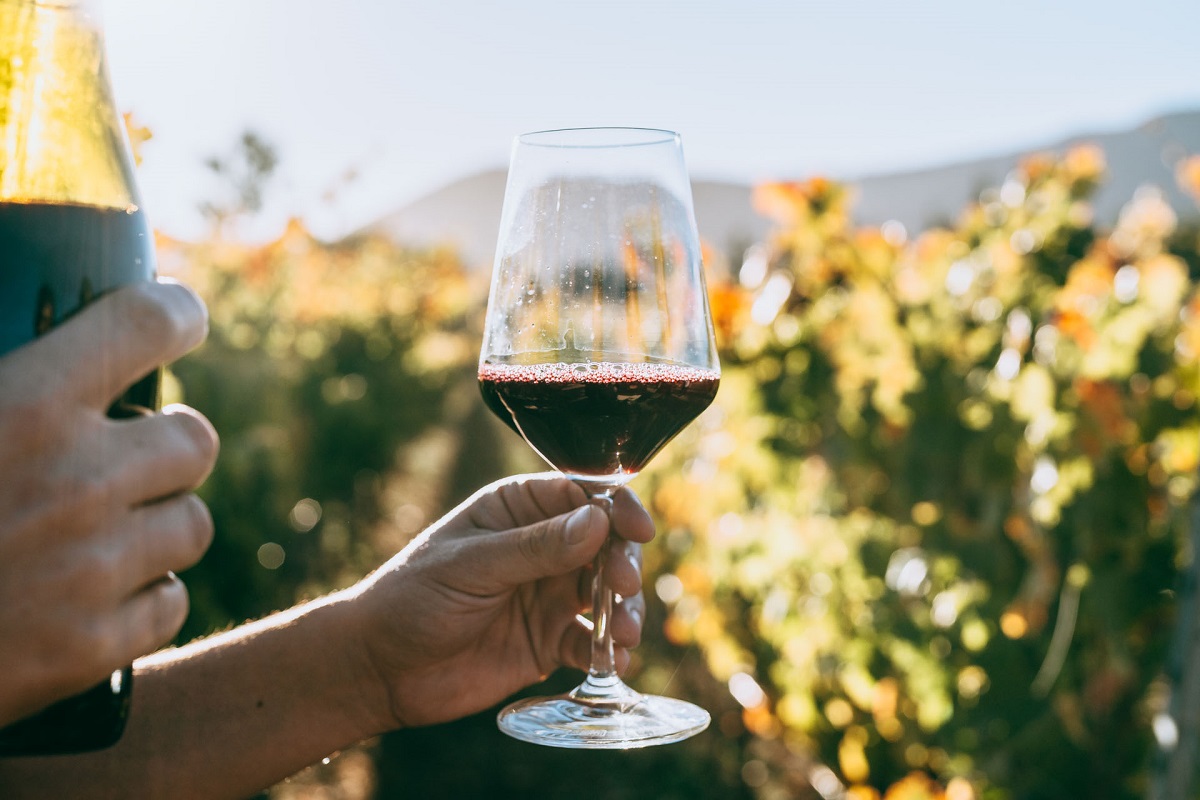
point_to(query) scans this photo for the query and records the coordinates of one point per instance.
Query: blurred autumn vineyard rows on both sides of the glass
(932, 542)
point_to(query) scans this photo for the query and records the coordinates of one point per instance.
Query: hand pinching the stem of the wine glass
(487, 601)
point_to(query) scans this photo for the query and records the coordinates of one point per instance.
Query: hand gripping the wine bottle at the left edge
(95, 513)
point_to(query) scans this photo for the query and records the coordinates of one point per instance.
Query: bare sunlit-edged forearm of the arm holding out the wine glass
(226, 717)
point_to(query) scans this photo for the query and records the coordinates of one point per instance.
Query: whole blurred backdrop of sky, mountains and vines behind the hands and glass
(935, 538)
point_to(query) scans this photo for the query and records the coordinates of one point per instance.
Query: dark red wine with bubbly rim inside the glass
(597, 420)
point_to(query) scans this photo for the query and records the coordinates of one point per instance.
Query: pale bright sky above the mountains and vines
(373, 104)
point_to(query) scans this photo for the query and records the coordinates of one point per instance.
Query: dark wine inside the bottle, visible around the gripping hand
(53, 261)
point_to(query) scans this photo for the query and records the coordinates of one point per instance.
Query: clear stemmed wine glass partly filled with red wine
(598, 350)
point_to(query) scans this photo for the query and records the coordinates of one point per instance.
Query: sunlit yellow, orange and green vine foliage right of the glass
(1064, 350)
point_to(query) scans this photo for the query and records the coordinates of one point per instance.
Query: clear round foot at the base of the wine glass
(629, 721)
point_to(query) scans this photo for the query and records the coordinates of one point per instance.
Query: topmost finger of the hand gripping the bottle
(99, 353)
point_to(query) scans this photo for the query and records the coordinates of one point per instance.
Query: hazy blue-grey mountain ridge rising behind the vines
(466, 214)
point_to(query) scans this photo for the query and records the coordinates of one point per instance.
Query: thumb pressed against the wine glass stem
(547, 549)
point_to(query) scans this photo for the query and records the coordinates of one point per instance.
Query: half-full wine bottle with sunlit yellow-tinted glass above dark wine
(71, 228)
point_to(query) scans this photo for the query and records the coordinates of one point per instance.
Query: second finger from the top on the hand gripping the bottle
(164, 454)
